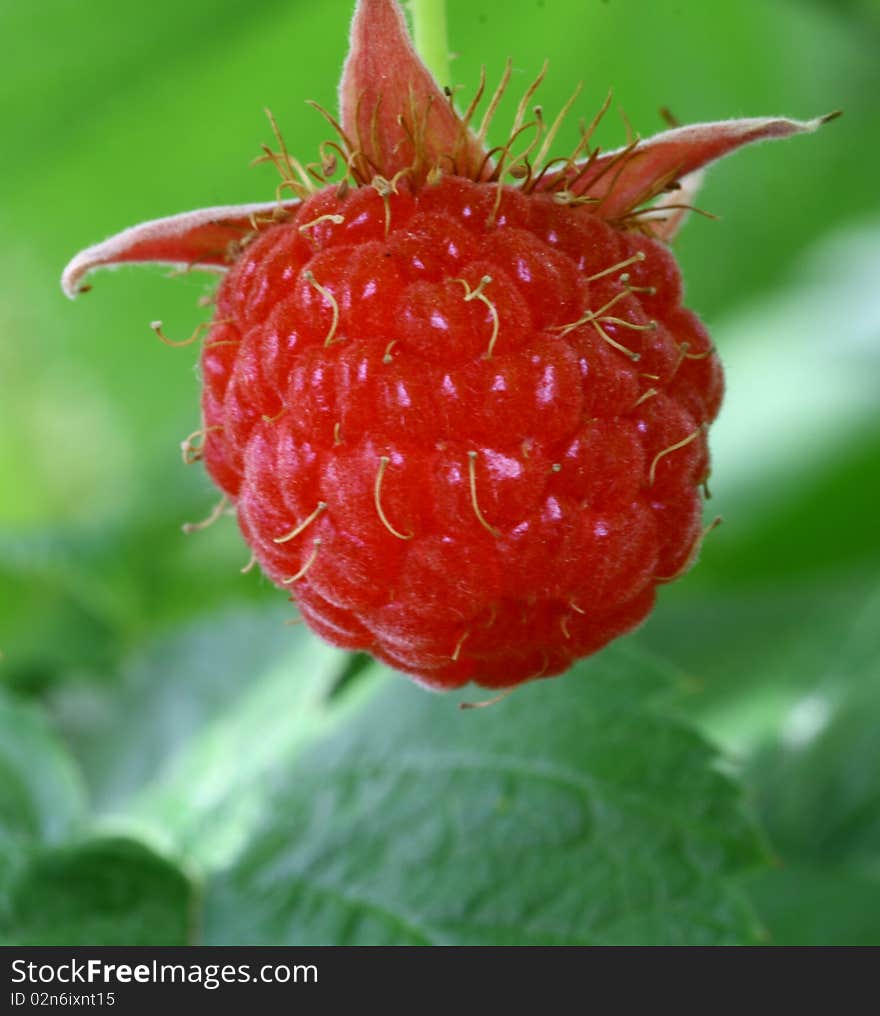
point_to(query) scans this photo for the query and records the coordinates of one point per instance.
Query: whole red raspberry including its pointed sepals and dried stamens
(452, 391)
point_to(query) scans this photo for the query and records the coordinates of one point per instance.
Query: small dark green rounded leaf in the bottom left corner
(102, 893)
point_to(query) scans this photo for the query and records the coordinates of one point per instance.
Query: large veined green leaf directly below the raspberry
(570, 813)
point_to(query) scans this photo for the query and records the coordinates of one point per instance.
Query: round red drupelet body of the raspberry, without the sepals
(466, 434)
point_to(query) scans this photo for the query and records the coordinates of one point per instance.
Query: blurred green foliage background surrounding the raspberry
(176, 766)
